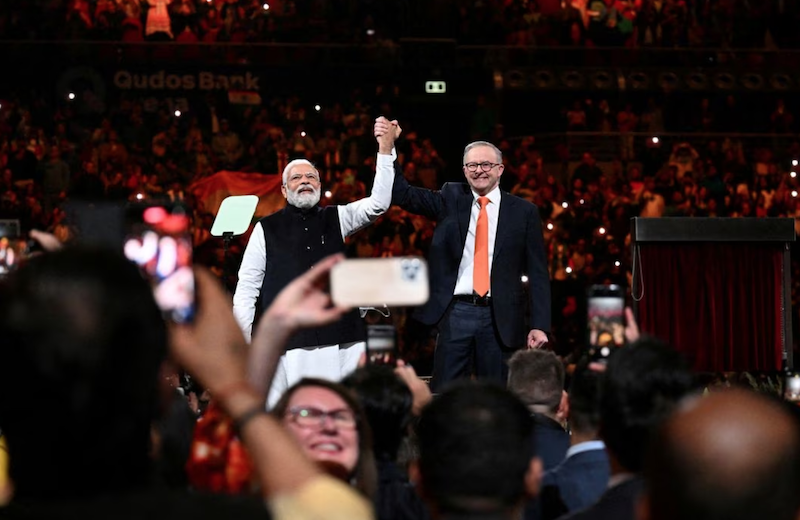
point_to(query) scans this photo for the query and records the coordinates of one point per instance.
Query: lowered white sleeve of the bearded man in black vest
(251, 276)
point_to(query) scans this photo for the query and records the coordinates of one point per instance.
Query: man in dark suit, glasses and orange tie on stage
(485, 242)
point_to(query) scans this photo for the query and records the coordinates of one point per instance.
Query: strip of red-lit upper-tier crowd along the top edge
(660, 23)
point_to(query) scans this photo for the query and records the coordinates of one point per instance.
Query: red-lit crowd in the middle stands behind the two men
(50, 154)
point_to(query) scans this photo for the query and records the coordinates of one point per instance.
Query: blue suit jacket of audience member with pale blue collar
(576, 483)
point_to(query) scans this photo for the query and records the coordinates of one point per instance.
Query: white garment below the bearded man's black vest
(331, 362)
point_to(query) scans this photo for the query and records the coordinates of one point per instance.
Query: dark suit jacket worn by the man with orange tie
(518, 250)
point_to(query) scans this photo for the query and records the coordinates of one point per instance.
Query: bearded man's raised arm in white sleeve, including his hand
(360, 213)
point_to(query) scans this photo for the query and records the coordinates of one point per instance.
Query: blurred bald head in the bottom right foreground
(733, 455)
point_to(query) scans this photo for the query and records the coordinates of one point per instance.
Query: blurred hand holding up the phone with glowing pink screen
(212, 349)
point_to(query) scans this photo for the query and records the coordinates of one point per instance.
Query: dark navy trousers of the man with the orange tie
(467, 334)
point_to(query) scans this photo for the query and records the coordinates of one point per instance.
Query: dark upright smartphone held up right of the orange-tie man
(605, 320)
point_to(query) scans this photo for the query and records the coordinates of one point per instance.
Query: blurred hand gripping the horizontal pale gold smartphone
(303, 303)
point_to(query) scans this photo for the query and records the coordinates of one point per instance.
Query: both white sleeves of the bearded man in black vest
(352, 217)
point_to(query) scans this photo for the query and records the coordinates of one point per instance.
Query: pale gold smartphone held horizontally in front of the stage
(374, 282)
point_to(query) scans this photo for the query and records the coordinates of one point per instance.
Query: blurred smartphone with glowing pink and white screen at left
(159, 241)
